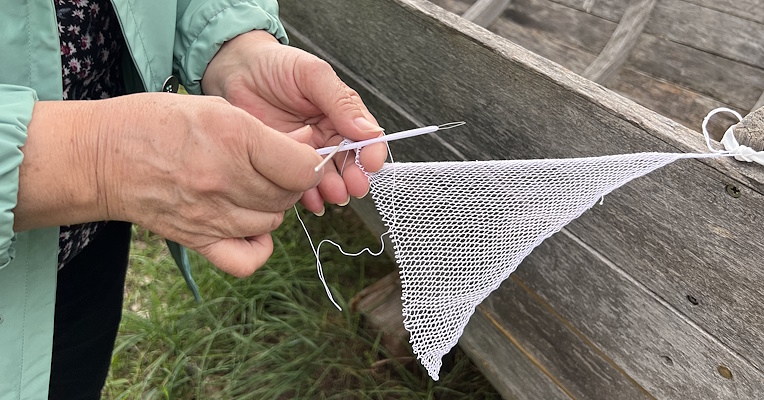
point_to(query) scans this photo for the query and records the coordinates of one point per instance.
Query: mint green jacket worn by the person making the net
(163, 37)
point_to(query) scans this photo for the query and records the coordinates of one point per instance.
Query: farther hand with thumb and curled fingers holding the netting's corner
(287, 88)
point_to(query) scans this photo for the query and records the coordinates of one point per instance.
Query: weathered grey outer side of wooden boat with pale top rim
(655, 294)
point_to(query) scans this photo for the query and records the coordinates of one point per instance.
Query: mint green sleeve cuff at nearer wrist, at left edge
(16, 104)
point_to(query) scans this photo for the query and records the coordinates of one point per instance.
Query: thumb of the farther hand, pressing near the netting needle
(320, 85)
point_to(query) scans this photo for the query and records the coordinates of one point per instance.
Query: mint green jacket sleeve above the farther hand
(203, 26)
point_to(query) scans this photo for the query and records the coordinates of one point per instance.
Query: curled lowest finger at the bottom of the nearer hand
(240, 257)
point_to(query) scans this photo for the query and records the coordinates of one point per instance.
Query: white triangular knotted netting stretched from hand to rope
(460, 228)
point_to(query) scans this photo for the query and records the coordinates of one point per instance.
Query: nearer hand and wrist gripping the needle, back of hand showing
(194, 169)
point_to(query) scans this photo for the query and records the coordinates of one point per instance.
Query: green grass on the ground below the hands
(274, 335)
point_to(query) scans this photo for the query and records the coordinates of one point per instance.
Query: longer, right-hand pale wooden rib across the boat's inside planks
(622, 42)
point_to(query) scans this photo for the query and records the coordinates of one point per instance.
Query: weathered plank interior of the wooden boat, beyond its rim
(680, 58)
